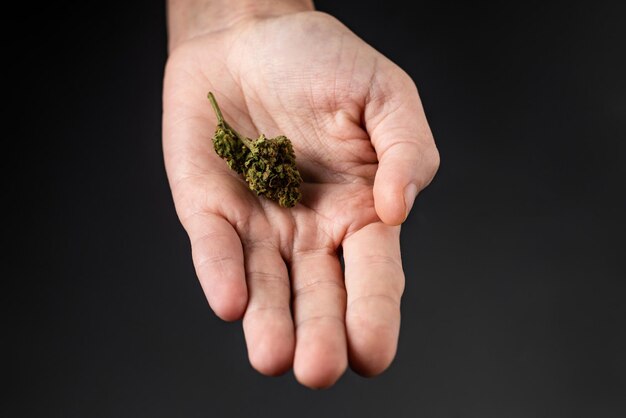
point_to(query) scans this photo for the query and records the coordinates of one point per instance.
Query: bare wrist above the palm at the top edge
(187, 19)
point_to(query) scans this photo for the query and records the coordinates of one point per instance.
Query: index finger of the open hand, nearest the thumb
(374, 283)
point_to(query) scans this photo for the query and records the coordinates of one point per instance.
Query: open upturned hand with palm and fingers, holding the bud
(364, 149)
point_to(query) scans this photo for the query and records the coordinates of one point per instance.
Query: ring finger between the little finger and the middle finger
(267, 322)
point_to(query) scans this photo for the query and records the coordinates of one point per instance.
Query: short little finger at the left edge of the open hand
(218, 259)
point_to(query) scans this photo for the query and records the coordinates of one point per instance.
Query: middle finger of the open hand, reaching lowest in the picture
(319, 301)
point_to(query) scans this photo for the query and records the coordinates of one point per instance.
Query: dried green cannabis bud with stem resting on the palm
(267, 164)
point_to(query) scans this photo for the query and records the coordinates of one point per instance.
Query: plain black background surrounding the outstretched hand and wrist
(514, 305)
